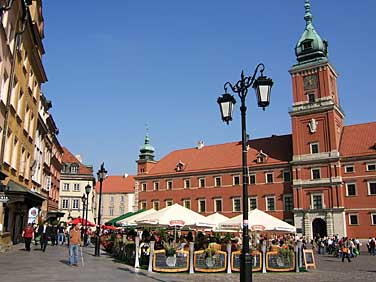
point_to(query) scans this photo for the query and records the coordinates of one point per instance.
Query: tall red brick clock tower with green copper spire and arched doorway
(317, 123)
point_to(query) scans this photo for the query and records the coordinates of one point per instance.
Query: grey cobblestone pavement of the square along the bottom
(18, 266)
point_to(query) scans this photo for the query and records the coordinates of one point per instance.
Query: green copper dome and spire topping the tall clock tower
(310, 45)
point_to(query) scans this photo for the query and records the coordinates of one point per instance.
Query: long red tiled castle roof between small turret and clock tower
(228, 155)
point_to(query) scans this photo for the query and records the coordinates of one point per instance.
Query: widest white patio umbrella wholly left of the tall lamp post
(175, 215)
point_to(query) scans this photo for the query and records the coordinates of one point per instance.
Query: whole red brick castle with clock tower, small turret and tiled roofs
(321, 177)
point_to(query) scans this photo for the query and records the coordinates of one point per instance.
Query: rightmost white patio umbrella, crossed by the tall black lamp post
(258, 221)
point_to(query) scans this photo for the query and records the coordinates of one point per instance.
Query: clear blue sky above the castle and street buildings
(116, 68)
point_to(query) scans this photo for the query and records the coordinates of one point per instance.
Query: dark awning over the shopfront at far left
(18, 193)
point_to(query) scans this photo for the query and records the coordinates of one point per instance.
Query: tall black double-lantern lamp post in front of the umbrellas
(263, 86)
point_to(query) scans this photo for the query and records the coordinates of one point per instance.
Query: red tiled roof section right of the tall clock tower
(358, 139)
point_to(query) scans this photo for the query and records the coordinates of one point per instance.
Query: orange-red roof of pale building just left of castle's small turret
(116, 184)
